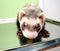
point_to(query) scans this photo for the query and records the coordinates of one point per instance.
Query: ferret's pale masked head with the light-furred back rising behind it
(31, 19)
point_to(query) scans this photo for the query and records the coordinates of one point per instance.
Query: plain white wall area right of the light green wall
(51, 9)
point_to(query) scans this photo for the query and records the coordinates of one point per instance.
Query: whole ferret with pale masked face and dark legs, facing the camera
(31, 24)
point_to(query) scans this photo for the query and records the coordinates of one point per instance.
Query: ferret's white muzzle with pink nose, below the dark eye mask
(30, 34)
